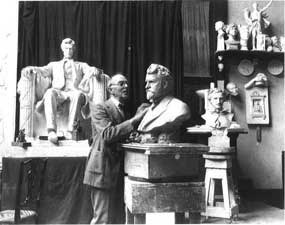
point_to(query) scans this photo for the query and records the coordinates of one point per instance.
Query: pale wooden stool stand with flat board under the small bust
(219, 160)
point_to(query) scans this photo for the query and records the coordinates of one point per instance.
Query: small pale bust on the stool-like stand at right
(216, 117)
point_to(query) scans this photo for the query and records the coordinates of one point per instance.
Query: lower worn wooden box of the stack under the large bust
(146, 197)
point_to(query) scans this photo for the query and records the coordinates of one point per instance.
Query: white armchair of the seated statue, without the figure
(32, 88)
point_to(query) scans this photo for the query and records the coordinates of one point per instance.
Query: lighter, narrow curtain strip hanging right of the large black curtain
(195, 17)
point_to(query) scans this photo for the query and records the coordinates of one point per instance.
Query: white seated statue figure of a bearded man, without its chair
(66, 78)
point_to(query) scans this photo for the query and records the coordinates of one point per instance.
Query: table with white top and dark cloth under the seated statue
(66, 200)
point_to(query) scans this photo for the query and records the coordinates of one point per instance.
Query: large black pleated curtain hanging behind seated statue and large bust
(117, 36)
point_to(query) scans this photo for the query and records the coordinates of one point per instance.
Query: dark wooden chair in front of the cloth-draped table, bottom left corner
(29, 190)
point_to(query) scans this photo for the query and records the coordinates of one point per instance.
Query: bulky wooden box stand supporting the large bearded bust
(163, 178)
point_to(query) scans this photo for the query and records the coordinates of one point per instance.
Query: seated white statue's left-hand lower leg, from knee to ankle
(50, 105)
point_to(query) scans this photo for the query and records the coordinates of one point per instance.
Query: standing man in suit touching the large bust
(104, 171)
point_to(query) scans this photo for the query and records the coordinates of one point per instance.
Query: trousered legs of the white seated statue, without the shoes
(54, 97)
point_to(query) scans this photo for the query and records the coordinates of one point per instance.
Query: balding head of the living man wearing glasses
(118, 87)
